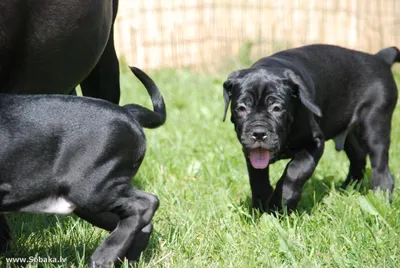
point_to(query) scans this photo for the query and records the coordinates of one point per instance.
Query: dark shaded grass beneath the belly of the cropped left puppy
(27, 228)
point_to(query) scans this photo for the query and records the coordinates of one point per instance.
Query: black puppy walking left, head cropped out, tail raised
(64, 154)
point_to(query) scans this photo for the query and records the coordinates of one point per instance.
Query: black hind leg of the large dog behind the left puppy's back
(103, 81)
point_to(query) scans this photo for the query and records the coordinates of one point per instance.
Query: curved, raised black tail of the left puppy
(146, 117)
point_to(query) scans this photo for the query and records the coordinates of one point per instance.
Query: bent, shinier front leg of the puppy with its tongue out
(290, 186)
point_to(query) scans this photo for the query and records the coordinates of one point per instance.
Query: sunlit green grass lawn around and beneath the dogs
(195, 166)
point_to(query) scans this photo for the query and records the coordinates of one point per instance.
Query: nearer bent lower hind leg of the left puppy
(135, 211)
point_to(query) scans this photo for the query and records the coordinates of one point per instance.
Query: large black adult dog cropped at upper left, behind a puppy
(49, 47)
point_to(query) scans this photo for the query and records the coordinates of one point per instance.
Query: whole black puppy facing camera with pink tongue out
(287, 105)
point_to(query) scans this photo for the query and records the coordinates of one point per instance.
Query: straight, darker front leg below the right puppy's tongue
(261, 189)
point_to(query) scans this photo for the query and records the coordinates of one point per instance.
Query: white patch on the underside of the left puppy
(56, 205)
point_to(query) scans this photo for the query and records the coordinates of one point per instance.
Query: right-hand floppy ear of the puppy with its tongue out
(304, 93)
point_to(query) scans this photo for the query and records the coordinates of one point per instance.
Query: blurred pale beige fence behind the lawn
(215, 35)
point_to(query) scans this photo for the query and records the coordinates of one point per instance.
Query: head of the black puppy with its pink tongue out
(264, 105)
